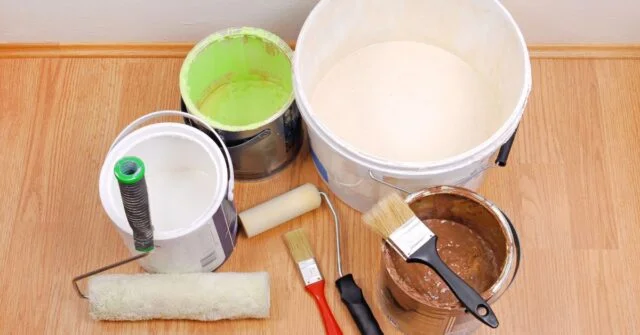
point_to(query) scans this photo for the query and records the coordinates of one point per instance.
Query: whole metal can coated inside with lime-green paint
(239, 80)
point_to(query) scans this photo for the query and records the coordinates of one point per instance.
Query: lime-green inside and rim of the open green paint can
(238, 79)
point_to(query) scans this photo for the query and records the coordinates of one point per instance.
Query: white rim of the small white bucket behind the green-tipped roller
(150, 132)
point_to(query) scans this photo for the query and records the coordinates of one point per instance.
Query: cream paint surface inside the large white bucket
(407, 101)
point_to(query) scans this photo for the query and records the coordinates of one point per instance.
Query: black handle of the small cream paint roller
(353, 298)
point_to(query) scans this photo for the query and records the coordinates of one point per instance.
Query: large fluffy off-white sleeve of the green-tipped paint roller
(193, 296)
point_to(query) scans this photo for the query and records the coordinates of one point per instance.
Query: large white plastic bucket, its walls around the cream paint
(480, 32)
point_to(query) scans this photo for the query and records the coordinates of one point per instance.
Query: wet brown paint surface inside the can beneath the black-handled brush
(464, 251)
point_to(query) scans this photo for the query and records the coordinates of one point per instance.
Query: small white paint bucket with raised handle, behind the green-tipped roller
(190, 185)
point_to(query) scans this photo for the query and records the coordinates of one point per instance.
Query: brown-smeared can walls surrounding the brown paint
(405, 304)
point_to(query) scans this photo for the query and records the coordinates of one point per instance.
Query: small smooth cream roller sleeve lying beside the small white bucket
(280, 209)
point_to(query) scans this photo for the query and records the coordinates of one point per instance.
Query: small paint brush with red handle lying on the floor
(300, 250)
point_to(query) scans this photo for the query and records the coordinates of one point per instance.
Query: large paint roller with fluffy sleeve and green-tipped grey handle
(193, 296)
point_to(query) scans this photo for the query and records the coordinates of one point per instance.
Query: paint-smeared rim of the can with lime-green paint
(233, 32)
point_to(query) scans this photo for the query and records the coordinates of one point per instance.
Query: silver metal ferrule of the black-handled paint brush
(410, 237)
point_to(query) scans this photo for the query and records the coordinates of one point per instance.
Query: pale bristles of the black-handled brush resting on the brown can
(388, 215)
